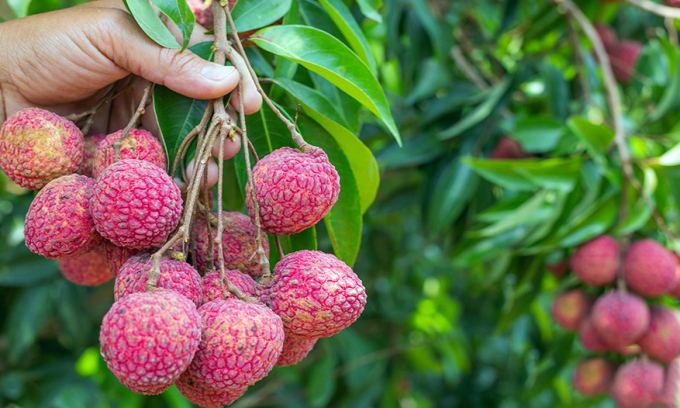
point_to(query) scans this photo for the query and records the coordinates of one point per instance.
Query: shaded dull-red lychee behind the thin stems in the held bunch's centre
(239, 244)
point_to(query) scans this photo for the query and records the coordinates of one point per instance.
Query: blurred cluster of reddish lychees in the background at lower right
(619, 315)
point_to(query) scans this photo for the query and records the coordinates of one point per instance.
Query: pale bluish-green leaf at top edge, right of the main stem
(252, 14)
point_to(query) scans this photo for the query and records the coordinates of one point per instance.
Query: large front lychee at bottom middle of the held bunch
(239, 345)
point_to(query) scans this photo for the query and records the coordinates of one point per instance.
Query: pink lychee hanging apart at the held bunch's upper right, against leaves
(294, 189)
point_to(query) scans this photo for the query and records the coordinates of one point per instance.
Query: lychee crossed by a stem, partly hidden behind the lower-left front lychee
(174, 275)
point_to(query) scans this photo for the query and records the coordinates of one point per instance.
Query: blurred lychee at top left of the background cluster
(597, 262)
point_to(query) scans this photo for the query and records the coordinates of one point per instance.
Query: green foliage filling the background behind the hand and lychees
(452, 251)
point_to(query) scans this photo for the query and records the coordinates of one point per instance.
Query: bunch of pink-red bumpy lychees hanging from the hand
(175, 322)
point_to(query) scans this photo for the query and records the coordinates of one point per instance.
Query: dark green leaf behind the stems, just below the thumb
(177, 114)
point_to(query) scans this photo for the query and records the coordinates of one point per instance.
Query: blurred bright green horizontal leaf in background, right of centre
(528, 175)
